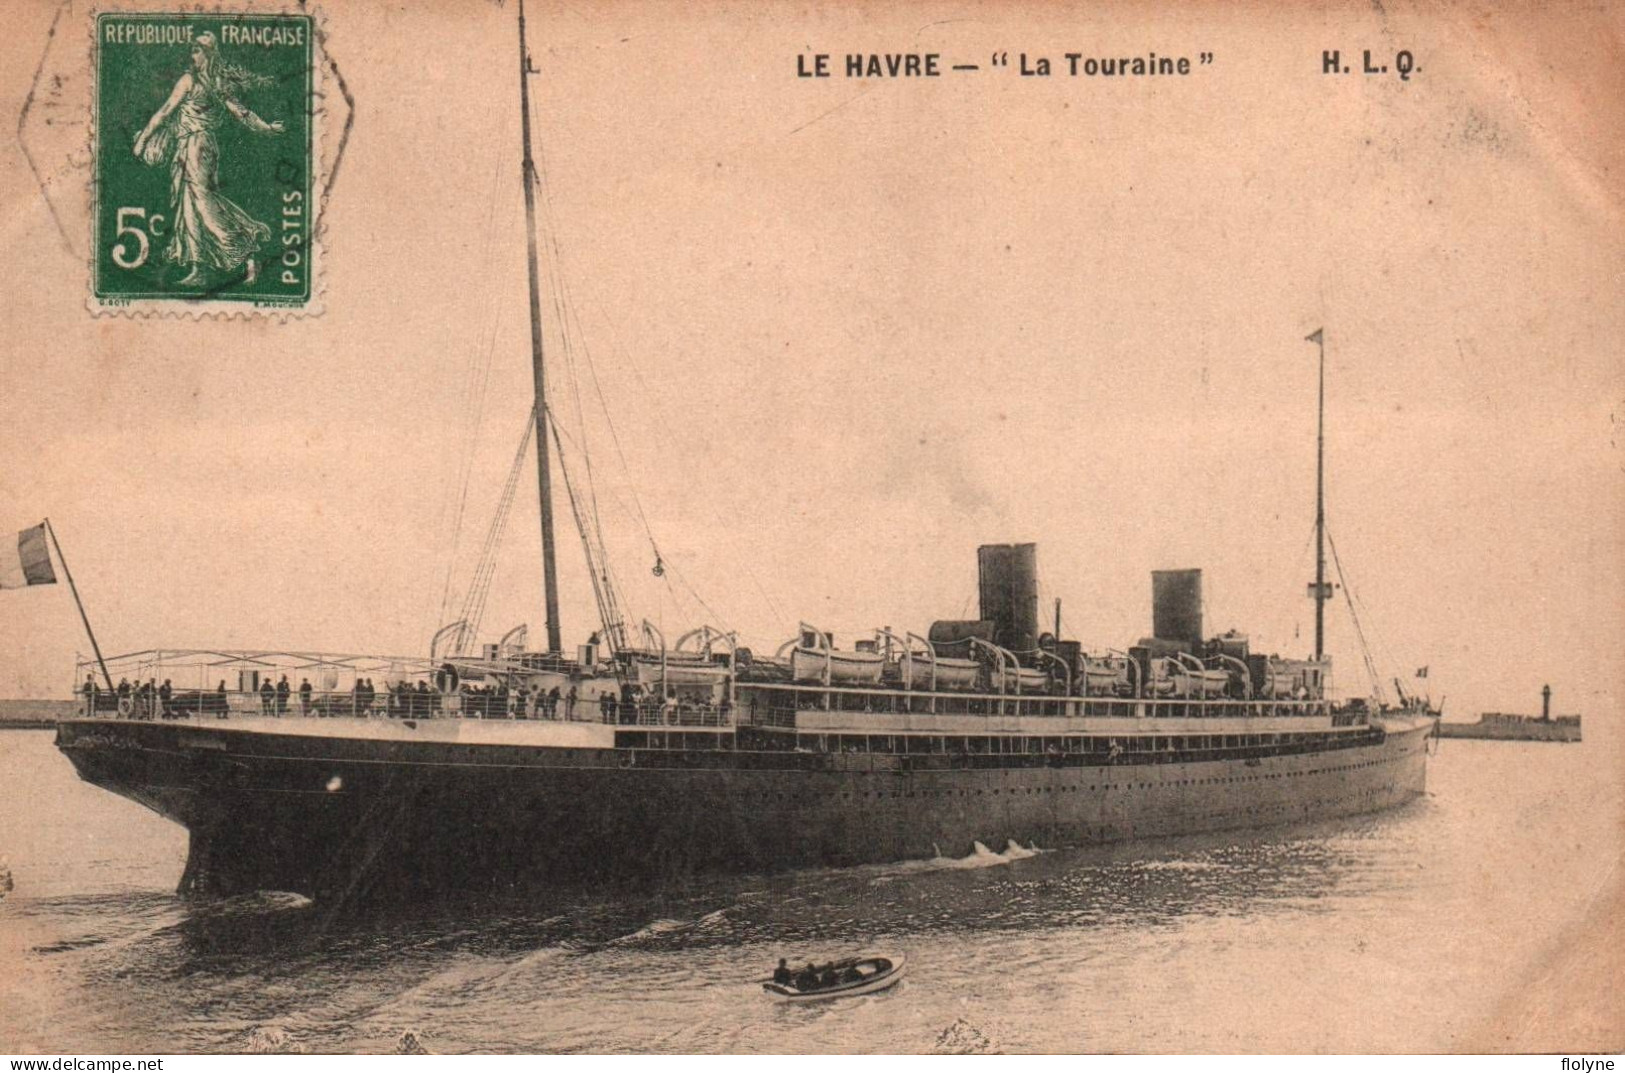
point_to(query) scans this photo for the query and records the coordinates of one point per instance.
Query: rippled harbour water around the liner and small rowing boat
(1418, 929)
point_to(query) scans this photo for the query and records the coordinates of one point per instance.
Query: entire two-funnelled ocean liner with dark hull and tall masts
(487, 771)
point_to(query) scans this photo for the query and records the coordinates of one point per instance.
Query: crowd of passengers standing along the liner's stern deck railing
(150, 700)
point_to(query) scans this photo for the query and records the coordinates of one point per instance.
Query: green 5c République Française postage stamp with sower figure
(206, 141)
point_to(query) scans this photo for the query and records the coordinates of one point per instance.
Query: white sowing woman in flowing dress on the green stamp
(210, 230)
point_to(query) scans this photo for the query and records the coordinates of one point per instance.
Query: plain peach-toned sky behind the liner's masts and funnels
(854, 328)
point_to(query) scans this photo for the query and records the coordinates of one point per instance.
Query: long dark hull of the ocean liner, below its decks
(352, 819)
